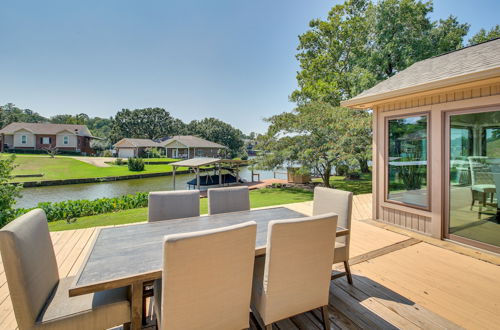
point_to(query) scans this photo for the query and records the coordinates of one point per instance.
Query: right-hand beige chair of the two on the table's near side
(294, 275)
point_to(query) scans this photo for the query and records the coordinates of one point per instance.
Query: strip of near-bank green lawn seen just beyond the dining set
(258, 198)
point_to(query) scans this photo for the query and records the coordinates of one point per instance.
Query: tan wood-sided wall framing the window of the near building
(436, 104)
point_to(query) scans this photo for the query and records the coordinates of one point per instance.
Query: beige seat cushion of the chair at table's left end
(100, 310)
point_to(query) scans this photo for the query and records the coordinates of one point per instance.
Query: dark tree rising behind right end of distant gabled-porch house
(217, 131)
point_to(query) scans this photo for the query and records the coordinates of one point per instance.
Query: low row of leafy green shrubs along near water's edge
(79, 208)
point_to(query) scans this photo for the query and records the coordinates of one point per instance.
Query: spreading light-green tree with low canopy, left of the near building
(315, 135)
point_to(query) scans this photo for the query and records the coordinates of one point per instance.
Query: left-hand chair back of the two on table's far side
(166, 205)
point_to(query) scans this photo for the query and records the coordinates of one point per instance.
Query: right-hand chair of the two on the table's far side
(231, 199)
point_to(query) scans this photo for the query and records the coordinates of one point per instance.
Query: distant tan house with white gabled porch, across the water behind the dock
(188, 146)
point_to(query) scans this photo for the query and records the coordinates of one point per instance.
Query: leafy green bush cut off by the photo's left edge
(8, 192)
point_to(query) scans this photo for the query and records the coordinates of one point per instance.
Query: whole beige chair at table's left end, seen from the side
(39, 297)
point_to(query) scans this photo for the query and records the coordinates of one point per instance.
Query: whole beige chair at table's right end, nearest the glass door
(340, 202)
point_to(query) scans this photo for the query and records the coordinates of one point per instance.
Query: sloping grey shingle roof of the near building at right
(467, 62)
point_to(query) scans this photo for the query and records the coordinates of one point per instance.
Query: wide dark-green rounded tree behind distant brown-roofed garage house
(148, 123)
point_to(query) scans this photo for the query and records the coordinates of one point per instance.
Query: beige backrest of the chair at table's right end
(328, 200)
